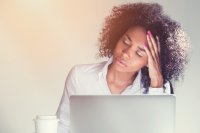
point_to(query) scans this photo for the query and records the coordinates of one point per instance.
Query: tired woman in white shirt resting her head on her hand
(147, 53)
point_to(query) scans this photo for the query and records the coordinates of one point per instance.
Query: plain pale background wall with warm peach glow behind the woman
(40, 40)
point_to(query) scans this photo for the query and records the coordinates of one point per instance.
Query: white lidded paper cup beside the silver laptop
(46, 124)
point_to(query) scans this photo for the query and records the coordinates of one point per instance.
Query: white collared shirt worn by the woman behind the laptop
(90, 79)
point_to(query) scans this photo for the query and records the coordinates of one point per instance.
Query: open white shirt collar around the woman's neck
(136, 83)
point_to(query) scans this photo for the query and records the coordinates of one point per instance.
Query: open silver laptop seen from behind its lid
(122, 113)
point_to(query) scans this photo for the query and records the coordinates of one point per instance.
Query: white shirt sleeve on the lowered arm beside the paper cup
(63, 112)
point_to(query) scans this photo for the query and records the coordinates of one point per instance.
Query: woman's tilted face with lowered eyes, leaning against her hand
(129, 54)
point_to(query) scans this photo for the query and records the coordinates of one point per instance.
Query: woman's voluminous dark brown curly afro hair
(173, 40)
